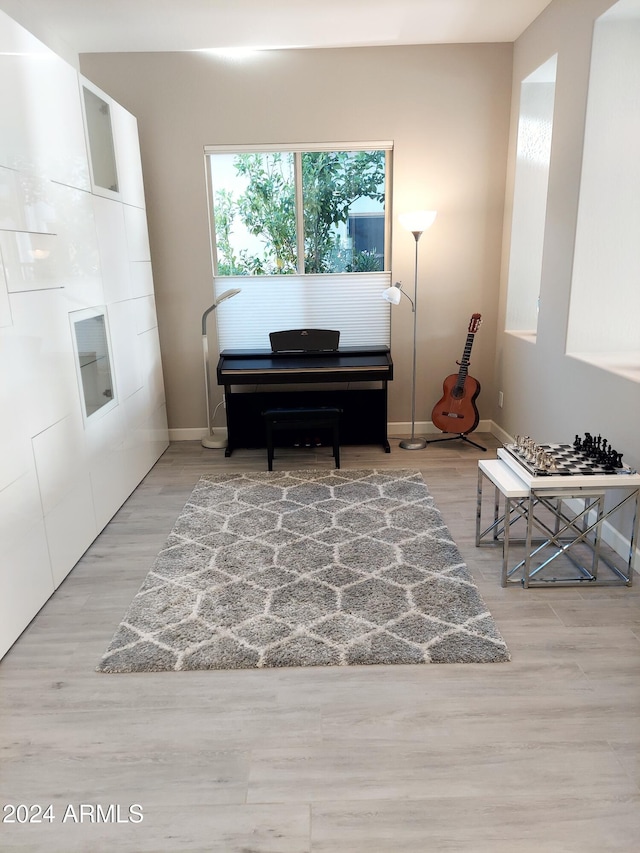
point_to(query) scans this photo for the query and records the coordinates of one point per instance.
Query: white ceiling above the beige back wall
(88, 26)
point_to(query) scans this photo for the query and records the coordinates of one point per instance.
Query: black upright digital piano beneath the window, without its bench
(306, 367)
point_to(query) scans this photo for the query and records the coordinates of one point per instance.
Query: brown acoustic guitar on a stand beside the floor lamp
(456, 411)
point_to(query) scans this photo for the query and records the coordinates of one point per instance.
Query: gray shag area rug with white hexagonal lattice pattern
(306, 568)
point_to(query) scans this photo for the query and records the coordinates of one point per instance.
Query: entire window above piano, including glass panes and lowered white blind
(305, 232)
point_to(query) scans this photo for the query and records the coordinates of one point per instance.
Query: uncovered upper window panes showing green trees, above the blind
(298, 212)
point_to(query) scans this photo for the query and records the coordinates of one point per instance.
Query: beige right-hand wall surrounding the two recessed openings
(547, 394)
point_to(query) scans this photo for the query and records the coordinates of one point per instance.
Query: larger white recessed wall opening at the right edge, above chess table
(604, 313)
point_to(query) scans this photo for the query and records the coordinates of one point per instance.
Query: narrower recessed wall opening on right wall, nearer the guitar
(533, 155)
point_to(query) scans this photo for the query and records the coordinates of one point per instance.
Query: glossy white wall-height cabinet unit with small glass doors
(81, 388)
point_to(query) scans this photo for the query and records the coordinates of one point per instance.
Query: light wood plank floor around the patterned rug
(539, 755)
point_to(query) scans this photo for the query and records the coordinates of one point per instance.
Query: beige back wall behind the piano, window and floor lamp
(445, 107)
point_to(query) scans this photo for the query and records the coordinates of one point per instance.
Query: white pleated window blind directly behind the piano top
(351, 303)
